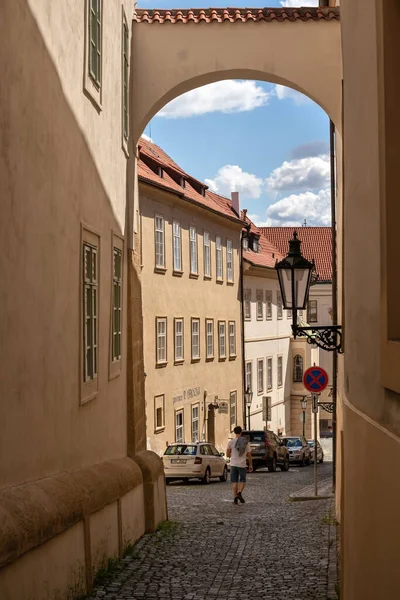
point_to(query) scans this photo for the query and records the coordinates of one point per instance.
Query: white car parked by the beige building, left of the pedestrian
(194, 460)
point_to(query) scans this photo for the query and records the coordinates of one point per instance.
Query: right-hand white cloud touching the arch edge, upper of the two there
(311, 173)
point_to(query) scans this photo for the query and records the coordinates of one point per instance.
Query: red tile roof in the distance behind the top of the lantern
(316, 244)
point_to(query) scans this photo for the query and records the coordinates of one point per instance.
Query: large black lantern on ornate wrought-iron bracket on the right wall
(295, 275)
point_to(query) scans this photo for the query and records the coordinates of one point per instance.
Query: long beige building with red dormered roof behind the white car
(192, 319)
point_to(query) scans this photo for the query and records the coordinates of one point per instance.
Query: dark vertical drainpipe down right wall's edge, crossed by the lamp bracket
(334, 292)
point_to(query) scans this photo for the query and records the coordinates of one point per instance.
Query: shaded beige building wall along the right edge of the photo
(369, 374)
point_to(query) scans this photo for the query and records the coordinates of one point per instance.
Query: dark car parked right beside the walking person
(267, 450)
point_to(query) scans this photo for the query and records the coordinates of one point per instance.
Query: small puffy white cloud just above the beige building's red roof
(231, 178)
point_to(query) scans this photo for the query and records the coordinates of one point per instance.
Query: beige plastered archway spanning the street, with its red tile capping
(174, 51)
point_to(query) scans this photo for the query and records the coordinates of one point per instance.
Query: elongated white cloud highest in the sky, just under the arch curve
(229, 96)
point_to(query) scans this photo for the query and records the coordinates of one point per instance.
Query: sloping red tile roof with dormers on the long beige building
(210, 201)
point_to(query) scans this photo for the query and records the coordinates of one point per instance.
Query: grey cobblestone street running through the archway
(267, 548)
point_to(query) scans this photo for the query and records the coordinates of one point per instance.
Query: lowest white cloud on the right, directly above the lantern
(292, 210)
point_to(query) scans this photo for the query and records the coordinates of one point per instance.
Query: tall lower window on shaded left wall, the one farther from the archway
(90, 310)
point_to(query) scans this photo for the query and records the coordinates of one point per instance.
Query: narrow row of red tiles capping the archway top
(235, 15)
